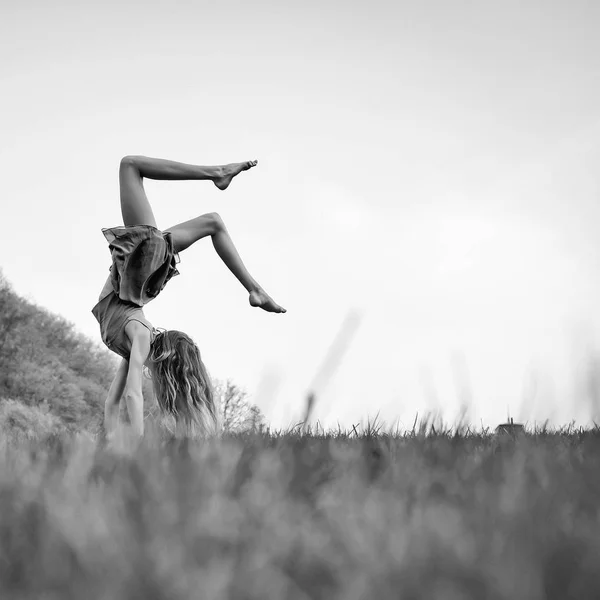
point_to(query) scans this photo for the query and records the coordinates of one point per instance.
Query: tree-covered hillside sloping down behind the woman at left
(52, 374)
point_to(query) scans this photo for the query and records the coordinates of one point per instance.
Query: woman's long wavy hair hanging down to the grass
(181, 383)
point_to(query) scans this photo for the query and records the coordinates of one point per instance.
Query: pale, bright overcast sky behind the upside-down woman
(428, 189)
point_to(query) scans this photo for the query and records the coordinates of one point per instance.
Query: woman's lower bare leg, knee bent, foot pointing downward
(211, 224)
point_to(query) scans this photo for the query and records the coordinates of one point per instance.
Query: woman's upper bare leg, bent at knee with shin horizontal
(136, 209)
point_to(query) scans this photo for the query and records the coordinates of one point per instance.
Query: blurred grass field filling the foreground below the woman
(437, 516)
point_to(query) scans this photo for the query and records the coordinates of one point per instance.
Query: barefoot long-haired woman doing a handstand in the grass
(143, 261)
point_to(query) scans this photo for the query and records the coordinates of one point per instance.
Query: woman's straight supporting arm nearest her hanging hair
(140, 349)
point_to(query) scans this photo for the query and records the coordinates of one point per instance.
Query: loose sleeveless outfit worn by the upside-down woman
(143, 261)
